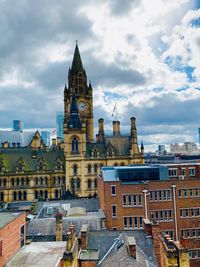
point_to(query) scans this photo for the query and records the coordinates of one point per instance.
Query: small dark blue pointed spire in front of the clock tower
(74, 118)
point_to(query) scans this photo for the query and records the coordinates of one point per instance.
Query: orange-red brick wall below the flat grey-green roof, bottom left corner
(10, 236)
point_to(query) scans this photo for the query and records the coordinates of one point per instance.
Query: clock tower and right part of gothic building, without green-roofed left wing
(84, 157)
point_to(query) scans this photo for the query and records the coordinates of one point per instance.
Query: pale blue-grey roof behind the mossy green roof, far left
(23, 138)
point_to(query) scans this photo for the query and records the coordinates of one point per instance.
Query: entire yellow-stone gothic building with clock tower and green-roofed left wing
(37, 172)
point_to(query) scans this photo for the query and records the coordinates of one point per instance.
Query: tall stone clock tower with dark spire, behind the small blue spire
(77, 84)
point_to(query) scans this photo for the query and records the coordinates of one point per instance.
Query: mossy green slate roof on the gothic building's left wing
(30, 157)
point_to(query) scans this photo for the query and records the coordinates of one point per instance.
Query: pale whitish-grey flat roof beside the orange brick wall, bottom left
(39, 254)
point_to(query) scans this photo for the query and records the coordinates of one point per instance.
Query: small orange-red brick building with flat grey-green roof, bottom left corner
(12, 235)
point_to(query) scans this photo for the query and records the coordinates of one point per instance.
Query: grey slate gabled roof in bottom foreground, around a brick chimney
(118, 256)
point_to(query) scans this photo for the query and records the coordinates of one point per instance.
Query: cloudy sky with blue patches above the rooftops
(143, 55)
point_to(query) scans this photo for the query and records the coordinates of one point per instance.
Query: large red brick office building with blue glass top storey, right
(127, 197)
